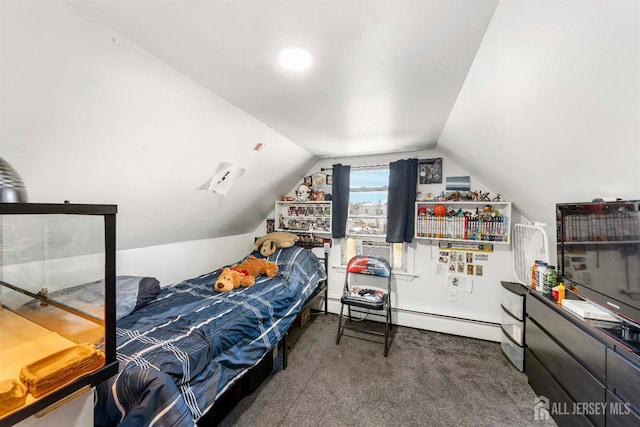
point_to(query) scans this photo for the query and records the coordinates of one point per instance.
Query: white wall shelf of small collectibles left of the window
(303, 217)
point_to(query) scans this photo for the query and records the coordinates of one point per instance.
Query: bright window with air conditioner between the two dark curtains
(367, 219)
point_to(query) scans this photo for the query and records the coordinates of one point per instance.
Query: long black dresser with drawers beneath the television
(584, 376)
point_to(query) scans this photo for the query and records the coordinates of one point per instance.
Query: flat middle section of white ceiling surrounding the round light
(385, 77)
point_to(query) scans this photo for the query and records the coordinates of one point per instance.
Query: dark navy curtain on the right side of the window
(403, 181)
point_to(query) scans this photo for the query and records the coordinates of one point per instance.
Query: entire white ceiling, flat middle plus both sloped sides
(139, 103)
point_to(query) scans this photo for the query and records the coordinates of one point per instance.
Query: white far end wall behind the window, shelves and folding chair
(422, 301)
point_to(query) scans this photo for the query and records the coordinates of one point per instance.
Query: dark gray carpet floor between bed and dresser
(428, 379)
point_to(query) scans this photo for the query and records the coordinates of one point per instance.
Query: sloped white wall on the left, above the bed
(87, 116)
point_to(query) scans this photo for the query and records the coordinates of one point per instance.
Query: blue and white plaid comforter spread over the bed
(185, 348)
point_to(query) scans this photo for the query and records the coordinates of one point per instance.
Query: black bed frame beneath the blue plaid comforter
(256, 375)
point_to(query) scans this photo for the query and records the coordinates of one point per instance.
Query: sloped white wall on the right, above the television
(550, 109)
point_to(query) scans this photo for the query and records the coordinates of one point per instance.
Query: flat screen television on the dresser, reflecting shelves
(599, 253)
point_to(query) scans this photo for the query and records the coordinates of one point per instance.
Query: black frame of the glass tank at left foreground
(110, 367)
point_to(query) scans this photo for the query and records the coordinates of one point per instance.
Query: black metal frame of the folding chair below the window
(385, 306)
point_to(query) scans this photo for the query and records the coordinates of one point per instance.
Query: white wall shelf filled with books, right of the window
(464, 222)
